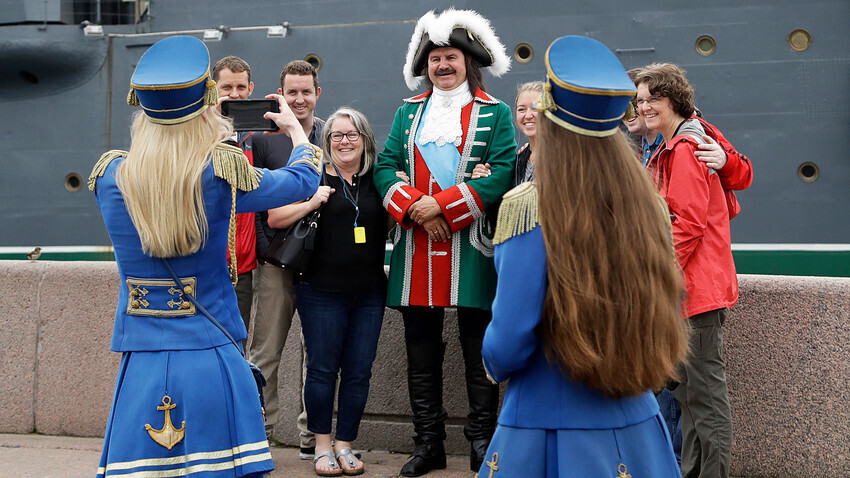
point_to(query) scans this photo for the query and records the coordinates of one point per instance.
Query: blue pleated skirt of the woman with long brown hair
(640, 450)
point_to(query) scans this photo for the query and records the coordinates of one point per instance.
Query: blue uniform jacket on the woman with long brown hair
(538, 395)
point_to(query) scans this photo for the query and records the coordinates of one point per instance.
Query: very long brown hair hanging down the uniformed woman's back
(611, 316)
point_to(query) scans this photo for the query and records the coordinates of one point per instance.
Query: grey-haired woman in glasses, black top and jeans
(341, 297)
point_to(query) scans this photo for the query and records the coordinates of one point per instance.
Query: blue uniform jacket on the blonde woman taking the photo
(151, 314)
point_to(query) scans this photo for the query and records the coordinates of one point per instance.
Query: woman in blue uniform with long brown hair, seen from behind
(585, 320)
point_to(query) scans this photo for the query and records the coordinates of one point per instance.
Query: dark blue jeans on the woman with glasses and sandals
(341, 333)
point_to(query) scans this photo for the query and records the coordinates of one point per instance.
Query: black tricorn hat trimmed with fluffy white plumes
(465, 30)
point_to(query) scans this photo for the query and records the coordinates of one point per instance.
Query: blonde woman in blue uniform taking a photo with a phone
(185, 401)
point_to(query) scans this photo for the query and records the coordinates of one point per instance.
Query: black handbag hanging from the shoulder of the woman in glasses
(292, 248)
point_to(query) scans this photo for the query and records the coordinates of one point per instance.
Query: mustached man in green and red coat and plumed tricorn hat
(443, 253)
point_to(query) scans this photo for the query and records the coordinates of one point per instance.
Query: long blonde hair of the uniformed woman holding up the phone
(160, 181)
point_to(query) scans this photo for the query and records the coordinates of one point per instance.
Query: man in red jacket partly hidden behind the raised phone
(232, 76)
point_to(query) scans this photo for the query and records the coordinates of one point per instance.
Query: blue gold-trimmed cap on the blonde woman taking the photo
(172, 80)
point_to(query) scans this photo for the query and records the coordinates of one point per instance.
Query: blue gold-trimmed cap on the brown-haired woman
(587, 89)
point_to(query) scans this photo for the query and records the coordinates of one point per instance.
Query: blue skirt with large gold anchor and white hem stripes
(209, 397)
